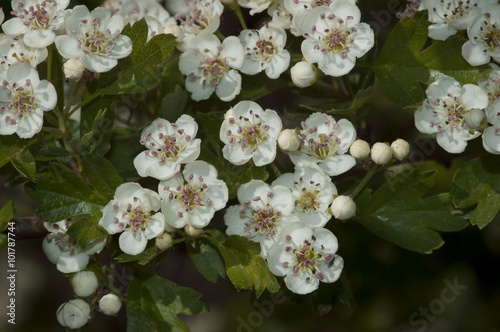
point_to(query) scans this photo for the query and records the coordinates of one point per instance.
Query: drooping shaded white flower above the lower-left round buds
(63, 251)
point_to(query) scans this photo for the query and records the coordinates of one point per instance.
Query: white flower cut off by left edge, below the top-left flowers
(23, 99)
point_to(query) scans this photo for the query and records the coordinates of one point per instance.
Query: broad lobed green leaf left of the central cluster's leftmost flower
(63, 195)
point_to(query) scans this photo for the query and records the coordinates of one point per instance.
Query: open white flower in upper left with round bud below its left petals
(94, 38)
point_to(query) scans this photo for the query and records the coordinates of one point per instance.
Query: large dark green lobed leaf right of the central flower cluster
(397, 212)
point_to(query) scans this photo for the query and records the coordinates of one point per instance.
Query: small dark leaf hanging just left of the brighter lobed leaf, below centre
(205, 256)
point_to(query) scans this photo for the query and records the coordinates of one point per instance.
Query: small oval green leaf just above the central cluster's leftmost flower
(102, 175)
